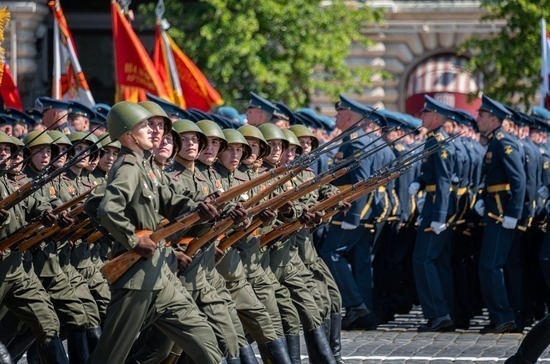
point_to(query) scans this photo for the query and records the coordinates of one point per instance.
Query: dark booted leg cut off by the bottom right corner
(533, 344)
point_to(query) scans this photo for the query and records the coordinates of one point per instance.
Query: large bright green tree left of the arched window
(283, 49)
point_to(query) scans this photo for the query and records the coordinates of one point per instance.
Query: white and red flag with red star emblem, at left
(68, 81)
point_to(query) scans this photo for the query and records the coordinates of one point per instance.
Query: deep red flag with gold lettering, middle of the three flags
(133, 66)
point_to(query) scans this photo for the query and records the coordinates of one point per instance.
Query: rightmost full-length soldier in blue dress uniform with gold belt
(501, 208)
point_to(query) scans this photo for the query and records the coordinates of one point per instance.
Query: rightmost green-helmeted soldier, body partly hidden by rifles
(327, 287)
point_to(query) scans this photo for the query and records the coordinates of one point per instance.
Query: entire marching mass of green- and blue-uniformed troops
(145, 233)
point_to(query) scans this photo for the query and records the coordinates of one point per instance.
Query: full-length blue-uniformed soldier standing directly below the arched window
(432, 251)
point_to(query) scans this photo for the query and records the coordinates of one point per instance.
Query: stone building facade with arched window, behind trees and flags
(417, 44)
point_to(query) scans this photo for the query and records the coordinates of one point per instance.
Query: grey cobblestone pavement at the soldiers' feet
(398, 342)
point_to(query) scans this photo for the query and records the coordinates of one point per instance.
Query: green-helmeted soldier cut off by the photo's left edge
(20, 290)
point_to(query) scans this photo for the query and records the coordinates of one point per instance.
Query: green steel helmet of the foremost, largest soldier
(123, 116)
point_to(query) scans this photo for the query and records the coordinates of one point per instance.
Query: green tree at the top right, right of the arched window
(510, 60)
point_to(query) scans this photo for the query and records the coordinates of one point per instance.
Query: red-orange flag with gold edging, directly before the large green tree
(197, 91)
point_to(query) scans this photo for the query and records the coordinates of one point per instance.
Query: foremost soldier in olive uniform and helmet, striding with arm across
(135, 200)
